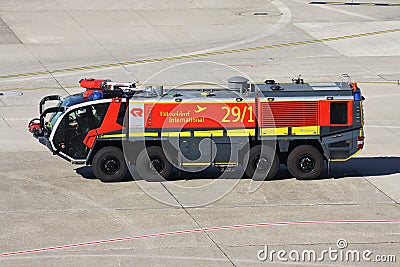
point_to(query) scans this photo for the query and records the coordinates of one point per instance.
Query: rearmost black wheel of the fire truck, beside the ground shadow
(305, 162)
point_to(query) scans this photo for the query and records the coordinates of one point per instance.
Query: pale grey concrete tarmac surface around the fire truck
(47, 46)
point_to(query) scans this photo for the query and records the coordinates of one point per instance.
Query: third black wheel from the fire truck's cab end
(269, 166)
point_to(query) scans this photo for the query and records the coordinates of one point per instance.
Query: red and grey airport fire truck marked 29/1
(112, 126)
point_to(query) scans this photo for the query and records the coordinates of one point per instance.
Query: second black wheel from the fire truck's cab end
(153, 165)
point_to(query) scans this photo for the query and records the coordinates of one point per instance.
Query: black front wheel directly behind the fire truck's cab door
(109, 164)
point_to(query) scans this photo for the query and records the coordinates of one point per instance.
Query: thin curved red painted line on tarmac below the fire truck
(200, 230)
